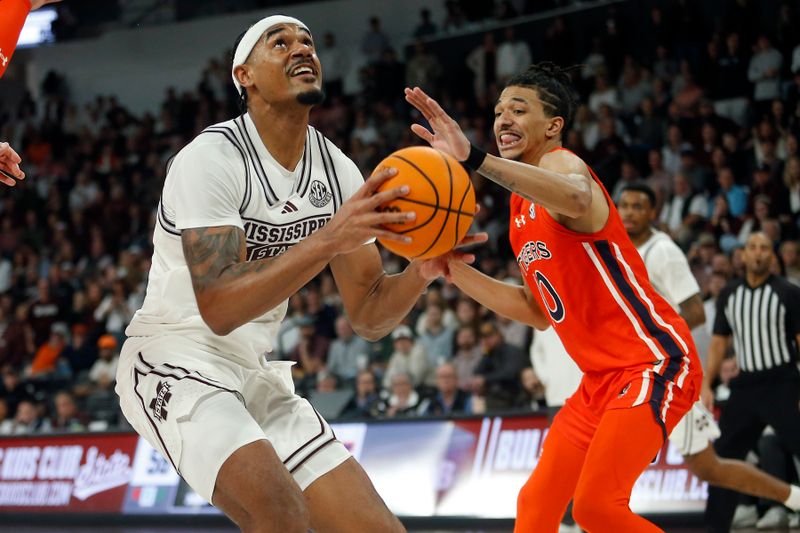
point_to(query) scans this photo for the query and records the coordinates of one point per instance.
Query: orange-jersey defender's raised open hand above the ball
(447, 135)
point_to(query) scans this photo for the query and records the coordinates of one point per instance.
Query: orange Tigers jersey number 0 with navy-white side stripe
(595, 290)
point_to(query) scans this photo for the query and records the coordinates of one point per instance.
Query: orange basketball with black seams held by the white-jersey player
(442, 196)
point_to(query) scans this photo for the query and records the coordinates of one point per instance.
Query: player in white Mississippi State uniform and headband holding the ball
(251, 210)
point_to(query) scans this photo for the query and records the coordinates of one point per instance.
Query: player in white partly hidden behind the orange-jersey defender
(670, 275)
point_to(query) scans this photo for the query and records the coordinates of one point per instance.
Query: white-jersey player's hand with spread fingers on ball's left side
(358, 220)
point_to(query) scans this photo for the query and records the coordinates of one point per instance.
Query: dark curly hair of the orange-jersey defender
(555, 89)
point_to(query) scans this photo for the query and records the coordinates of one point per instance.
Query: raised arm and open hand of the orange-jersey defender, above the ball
(562, 186)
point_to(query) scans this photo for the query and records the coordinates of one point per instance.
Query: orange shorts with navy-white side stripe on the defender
(623, 389)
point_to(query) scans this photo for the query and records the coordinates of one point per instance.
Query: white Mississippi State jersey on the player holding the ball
(226, 177)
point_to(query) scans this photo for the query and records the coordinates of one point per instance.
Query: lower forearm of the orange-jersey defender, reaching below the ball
(511, 301)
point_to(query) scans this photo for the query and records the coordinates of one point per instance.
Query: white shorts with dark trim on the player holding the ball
(197, 408)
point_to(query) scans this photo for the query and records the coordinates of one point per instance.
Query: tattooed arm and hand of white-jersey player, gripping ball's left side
(231, 291)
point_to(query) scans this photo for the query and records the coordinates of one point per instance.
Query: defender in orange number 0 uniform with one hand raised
(584, 277)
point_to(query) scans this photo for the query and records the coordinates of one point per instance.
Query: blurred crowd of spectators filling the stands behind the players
(705, 112)
